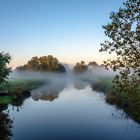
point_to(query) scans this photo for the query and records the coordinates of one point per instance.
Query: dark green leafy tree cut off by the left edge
(4, 69)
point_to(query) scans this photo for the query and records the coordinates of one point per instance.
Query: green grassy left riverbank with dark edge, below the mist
(16, 89)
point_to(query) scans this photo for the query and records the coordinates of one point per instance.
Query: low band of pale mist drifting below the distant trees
(68, 77)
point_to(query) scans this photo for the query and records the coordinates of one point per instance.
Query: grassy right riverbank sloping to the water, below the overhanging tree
(129, 102)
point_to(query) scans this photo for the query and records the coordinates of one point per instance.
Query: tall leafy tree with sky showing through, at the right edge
(124, 34)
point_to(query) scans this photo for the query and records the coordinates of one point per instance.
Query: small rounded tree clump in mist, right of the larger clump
(80, 67)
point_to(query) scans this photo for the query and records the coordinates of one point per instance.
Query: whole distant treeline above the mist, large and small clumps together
(51, 64)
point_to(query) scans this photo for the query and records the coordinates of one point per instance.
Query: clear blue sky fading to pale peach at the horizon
(70, 30)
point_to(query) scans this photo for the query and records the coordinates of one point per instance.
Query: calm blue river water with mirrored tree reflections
(73, 112)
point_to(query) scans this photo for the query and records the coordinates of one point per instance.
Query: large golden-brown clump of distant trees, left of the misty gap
(43, 63)
